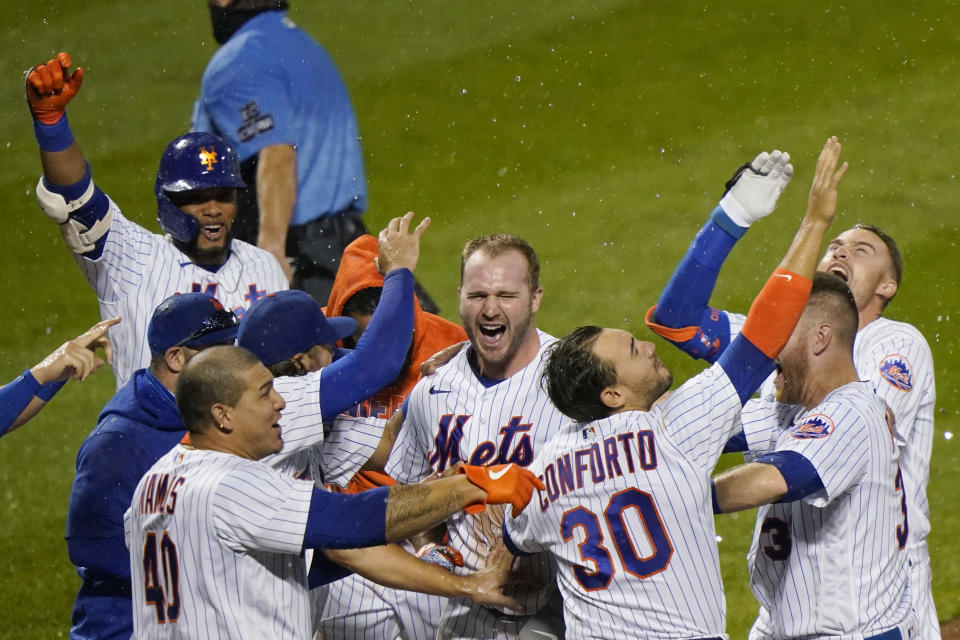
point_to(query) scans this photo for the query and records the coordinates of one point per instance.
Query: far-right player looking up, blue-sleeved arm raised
(892, 355)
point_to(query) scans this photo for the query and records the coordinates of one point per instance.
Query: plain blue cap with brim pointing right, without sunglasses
(286, 323)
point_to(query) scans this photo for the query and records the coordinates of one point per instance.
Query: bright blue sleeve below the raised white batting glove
(684, 301)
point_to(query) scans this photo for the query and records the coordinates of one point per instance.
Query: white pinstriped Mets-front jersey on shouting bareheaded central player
(453, 417)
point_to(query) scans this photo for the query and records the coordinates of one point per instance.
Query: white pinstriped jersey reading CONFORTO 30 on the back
(627, 514)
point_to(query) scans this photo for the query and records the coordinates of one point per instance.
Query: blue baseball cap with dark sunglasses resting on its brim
(190, 320)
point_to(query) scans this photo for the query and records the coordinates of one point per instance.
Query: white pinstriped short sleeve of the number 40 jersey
(257, 509)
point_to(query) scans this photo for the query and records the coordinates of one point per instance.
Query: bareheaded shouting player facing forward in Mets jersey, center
(486, 406)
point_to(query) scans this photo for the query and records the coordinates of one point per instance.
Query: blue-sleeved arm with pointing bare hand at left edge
(28, 393)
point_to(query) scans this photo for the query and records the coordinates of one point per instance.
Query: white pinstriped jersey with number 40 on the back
(215, 544)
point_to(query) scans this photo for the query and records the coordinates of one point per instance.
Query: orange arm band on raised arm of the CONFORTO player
(776, 310)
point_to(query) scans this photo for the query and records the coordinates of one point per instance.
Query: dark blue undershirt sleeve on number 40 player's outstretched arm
(346, 521)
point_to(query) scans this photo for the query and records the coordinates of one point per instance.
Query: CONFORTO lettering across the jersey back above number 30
(598, 462)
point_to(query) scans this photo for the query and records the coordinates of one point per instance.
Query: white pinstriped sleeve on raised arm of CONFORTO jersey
(701, 416)
